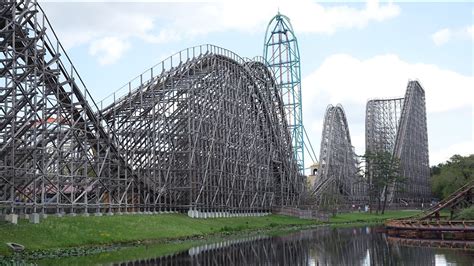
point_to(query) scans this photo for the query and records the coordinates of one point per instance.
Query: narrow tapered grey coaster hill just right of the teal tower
(337, 178)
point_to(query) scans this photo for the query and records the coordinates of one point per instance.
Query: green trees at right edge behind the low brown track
(450, 176)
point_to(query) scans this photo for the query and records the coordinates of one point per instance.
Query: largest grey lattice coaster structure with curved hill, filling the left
(202, 130)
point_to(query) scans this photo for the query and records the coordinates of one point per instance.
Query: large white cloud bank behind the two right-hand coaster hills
(344, 79)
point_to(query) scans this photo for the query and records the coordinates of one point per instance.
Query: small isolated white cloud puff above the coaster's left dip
(108, 49)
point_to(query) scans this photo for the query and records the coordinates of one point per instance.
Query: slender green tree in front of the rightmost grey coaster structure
(383, 176)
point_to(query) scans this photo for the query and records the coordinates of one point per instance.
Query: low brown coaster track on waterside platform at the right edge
(432, 228)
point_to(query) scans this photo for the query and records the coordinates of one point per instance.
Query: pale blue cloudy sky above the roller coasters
(350, 52)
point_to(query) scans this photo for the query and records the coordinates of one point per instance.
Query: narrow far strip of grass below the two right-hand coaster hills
(361, 217)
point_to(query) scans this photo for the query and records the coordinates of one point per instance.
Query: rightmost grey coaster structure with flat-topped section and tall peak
(399, 126)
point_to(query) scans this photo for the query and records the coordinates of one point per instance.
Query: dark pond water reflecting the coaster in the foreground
(321, 246)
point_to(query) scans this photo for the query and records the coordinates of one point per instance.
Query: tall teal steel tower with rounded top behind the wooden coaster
(282, 56)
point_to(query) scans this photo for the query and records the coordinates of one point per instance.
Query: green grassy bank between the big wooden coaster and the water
(69, 232)
